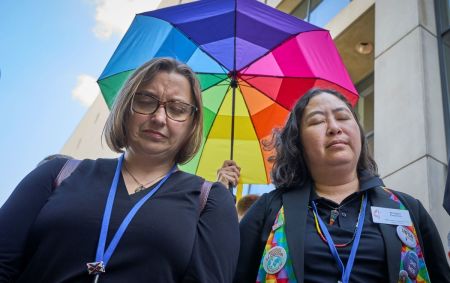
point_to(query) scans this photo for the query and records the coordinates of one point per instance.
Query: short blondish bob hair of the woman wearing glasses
(115, 130)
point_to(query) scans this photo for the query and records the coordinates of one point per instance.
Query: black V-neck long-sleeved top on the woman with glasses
(49, 236)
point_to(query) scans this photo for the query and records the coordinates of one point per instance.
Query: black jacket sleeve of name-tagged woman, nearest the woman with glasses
(252, 246)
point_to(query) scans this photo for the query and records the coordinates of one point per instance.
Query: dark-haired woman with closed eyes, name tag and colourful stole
(330, 218)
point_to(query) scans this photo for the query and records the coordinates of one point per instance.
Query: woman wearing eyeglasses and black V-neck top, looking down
(137, 218)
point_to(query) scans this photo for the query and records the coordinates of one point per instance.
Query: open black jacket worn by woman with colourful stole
(256, 226)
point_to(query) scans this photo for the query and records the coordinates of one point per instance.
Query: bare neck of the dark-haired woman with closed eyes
(334, 190)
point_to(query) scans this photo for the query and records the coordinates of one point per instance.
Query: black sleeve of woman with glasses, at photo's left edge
(19, 212)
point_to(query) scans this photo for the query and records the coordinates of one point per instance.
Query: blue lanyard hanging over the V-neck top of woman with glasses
(101, 255)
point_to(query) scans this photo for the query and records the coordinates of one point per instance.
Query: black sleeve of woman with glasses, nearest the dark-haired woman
(216, 247)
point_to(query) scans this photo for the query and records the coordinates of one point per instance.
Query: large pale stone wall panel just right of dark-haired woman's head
(399, 105)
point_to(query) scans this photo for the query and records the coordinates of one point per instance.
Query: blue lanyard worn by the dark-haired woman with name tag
(345, 271)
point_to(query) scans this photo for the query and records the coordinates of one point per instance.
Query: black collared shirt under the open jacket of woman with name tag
(320, 265)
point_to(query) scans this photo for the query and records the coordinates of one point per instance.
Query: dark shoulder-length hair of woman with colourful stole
(290, 167)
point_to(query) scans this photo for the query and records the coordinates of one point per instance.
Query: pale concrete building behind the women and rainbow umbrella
(398, 56)
